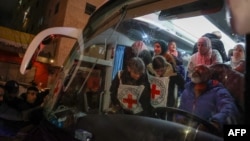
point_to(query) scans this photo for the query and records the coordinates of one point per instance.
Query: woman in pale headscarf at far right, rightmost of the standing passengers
(237, 61)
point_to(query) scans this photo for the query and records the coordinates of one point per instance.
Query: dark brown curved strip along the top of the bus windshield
(122, 10)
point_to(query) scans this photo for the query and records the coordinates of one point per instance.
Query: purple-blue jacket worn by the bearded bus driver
(216, 104)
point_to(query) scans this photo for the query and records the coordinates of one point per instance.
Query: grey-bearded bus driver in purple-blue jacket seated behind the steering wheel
(208, 99)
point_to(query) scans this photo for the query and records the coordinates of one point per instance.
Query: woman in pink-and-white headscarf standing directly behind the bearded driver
(205, 55)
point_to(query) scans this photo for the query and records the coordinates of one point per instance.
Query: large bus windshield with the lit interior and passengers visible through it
(164, 67)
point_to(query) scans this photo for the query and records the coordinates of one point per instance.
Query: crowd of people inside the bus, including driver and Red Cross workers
(154, 79)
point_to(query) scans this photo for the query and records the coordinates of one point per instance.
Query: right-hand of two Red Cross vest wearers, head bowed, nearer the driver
(163, 82)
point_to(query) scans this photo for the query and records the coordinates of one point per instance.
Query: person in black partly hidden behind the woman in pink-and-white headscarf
(217, 44)
